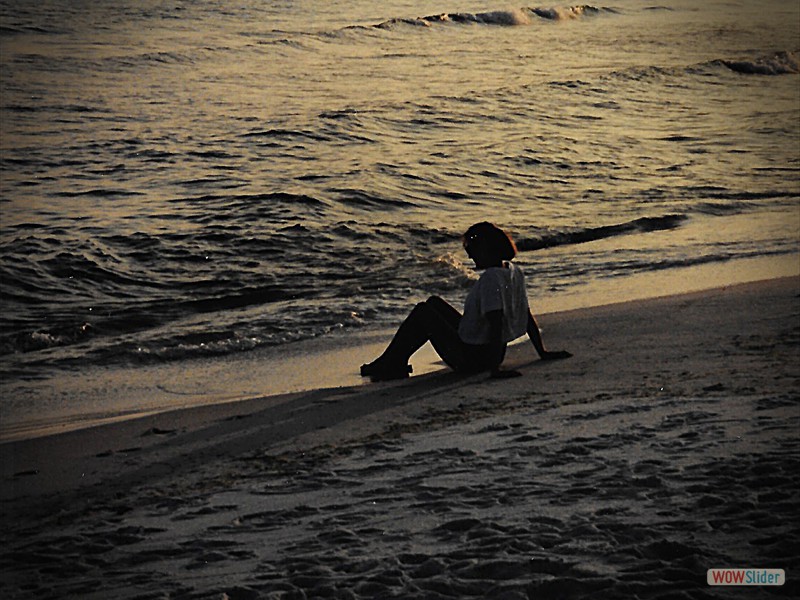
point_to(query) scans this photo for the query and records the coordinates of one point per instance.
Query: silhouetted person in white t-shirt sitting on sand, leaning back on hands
(496, 312)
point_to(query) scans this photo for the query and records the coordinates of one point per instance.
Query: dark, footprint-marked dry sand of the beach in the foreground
(668, 445)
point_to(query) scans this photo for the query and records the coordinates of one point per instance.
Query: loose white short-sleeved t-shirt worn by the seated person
(499, 288)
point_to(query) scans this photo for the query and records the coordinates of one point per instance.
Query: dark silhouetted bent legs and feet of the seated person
(435, 321)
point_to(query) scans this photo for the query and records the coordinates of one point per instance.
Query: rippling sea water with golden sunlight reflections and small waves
(181, 180)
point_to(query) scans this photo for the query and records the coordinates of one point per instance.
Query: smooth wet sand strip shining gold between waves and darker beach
(109, 395)
